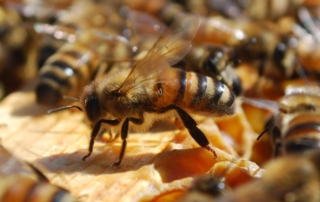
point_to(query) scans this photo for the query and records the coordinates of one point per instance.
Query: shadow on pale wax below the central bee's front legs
(98, 163)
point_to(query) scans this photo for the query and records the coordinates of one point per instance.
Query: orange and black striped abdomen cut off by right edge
(302, 134)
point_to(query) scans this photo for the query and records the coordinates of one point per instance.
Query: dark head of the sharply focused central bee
(91, 102)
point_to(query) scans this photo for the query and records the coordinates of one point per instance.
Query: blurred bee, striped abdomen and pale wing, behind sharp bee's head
(74, 65)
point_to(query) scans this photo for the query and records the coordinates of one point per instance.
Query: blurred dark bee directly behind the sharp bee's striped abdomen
(213, 61)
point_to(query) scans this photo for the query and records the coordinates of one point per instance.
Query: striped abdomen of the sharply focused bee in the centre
(194, 92)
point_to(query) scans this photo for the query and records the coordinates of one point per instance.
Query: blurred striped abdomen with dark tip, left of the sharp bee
(66, 73)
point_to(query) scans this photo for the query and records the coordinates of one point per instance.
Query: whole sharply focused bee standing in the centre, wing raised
(151, 89)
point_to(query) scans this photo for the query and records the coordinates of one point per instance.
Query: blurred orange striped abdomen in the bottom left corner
(22, 188)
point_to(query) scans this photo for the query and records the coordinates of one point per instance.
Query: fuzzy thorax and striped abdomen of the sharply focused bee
(193, 92)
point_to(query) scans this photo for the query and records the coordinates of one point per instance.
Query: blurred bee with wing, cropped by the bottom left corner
(20, 181)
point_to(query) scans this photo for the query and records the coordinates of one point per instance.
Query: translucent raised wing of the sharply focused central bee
(171, 47)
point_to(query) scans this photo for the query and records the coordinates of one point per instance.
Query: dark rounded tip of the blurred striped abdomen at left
(46, 94)
